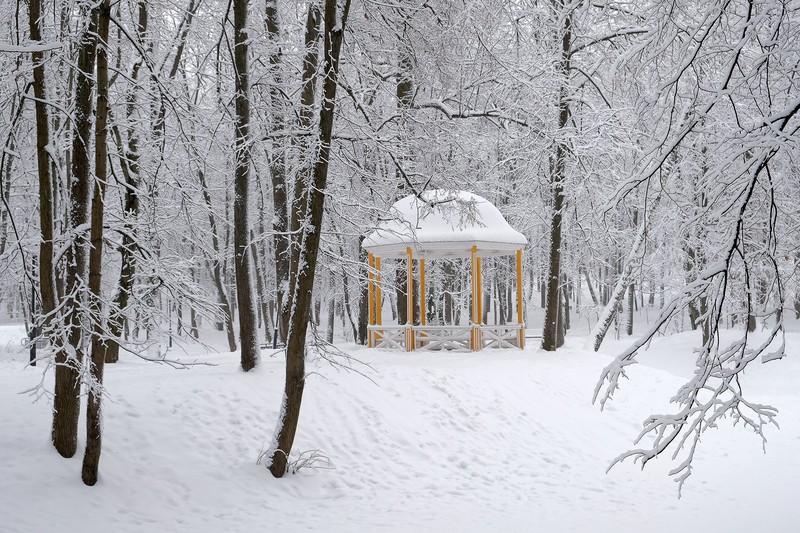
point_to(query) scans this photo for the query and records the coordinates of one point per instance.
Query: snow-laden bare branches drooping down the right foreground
(747, 129)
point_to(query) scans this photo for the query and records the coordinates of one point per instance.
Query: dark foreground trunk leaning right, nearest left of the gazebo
(296, 340)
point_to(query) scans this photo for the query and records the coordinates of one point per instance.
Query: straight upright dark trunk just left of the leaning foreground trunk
(248, 329)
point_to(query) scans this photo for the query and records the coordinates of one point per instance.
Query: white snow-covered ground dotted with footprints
(494, 441)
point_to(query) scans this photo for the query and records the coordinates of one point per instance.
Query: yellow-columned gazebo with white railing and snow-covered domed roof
(442, 224)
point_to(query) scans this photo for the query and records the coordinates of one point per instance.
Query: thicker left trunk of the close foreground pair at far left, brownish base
(66, 402)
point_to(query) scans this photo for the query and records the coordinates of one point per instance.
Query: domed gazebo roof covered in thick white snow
(443, 224)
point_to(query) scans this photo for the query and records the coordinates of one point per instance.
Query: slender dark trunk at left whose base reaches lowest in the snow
(94, 430)
